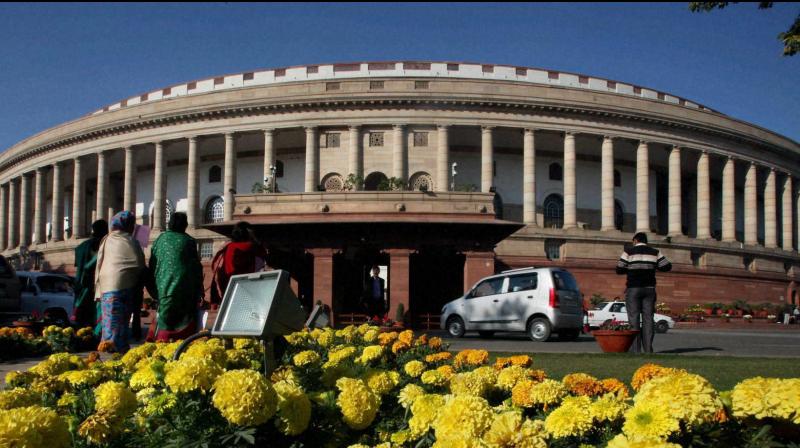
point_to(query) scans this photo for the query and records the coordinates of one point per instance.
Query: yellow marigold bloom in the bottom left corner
(33, 427)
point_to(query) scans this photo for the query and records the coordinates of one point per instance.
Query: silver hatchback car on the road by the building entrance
(538, 301)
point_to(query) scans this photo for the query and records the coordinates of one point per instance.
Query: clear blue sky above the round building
(59, 62)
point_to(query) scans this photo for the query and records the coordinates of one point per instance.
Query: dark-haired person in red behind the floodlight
(243, 255)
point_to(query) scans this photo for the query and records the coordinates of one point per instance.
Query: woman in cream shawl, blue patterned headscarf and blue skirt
(119, 274)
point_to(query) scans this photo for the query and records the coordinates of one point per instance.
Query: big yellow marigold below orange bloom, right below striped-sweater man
(688, 398)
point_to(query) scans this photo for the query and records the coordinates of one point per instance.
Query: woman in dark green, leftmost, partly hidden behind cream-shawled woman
(86, 312)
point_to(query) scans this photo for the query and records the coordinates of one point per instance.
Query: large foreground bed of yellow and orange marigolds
(359, 387)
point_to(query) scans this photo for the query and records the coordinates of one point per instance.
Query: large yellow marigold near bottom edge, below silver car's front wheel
(463, 415)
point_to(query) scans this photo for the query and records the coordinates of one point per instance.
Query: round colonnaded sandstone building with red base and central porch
(442, 172)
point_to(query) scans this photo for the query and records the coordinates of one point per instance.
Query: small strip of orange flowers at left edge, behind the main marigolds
(21, 342)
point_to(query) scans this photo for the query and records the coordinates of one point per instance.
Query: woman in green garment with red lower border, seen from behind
(178, 275)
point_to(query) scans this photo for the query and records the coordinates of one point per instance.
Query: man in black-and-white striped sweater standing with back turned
(640, 263)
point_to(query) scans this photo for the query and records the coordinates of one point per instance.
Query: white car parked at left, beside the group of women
(48, 295)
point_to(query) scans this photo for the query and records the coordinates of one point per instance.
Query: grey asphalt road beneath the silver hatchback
(676, 341)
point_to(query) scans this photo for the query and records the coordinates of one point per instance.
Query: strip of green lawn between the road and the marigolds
(723, 372)
